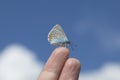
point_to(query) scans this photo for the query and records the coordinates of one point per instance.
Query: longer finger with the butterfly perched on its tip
(54, 65)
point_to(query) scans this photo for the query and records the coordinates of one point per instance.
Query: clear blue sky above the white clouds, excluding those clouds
(92, 25)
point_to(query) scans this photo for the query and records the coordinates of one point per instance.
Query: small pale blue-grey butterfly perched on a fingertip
(57, 37)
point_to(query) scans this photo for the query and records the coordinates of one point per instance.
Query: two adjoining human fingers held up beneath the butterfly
(60, 67)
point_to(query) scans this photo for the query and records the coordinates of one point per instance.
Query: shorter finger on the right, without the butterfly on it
(70, 70)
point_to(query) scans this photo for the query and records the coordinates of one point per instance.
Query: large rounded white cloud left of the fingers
(18, 63)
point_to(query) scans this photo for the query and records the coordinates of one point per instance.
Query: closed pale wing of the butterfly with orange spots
(57, 35)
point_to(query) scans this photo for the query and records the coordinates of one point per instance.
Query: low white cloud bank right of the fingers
(109, 71)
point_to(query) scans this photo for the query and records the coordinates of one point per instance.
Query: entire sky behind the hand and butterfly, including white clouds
(92, 25)
